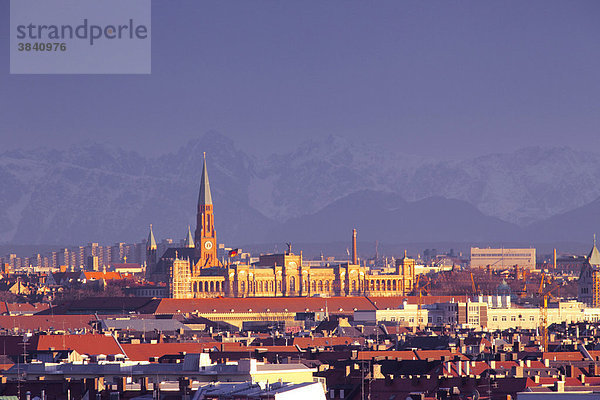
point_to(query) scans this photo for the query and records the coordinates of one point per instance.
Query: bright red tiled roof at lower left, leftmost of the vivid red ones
(91, 344)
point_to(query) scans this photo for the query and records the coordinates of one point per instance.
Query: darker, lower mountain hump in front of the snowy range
(389, 218)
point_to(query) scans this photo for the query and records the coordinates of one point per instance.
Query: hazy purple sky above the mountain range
(444, 78)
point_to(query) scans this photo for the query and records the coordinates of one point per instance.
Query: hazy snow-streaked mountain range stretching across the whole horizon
(318, 190)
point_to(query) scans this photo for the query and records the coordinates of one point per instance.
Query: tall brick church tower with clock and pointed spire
(205, 235)
